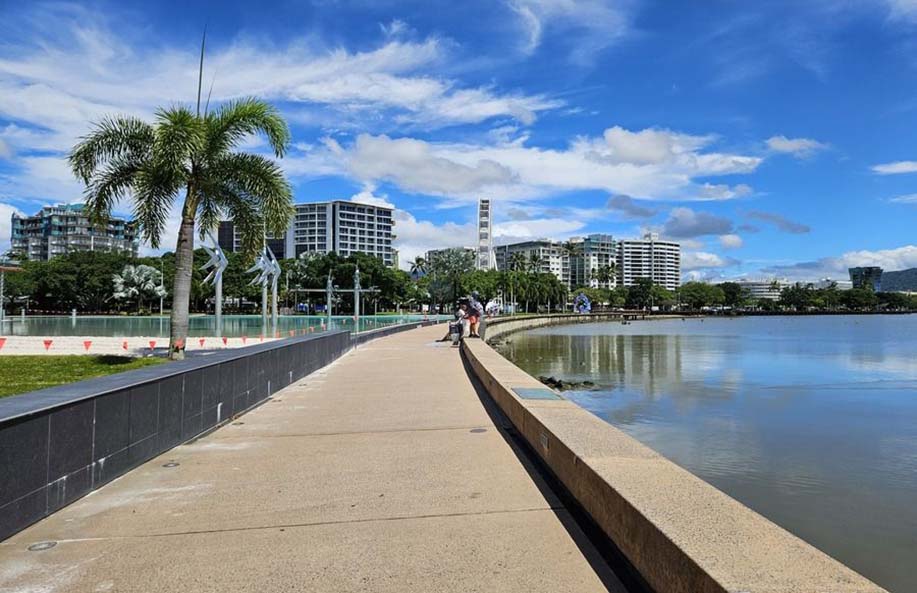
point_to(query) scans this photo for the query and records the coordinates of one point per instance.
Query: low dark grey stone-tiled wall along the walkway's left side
(58, 444)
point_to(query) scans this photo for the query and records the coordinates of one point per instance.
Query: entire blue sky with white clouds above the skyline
(771, 138)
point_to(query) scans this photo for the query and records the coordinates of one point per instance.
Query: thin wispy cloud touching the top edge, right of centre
(593, 24)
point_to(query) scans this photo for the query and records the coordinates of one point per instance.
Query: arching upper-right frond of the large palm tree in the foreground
(238, 119)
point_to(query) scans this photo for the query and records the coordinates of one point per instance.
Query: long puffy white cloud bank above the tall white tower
(649, 164)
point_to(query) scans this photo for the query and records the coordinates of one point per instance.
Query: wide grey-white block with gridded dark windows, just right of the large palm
(338, 226)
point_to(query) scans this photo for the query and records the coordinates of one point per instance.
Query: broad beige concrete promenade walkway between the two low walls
(382, 472)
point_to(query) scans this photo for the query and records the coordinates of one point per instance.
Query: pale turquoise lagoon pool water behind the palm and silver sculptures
(200, 325)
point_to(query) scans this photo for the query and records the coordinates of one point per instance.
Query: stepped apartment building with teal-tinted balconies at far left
(66, 228)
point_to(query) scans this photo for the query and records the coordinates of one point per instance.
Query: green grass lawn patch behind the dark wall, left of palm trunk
(19, 374)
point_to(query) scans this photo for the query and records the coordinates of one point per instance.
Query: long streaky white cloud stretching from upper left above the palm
(60, 80)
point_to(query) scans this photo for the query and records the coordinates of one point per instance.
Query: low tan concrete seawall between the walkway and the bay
(682, 534)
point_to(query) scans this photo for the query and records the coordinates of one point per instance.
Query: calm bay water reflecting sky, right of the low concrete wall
(811, 421)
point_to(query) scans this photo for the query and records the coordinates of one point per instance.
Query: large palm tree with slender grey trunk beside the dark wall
(184, 151)
